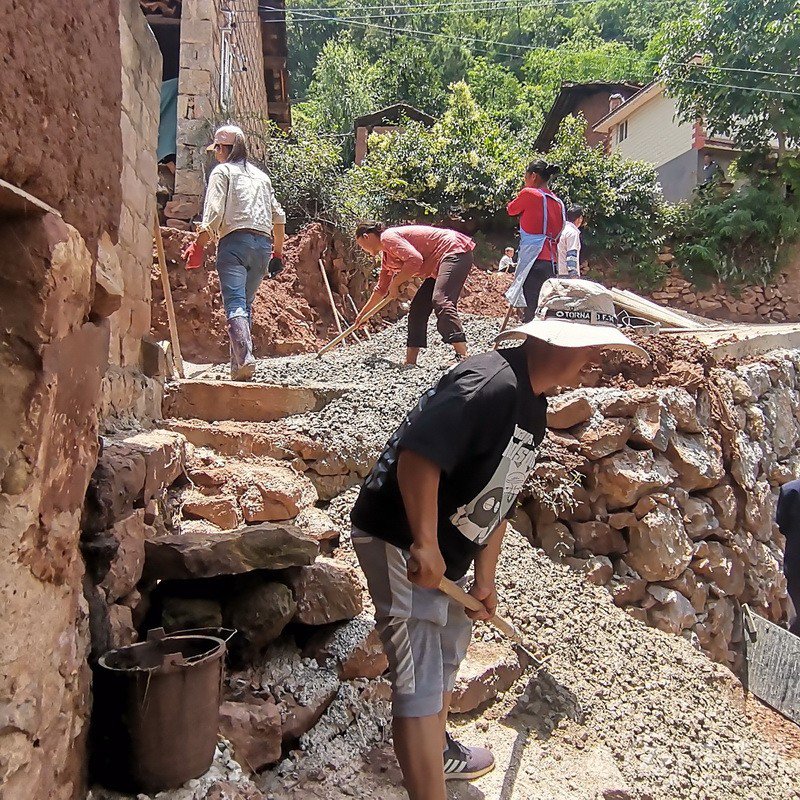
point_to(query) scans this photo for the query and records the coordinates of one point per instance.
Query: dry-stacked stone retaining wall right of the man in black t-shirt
(675, 500)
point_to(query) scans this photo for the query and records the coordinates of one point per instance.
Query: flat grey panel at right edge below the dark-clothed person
(772, 656)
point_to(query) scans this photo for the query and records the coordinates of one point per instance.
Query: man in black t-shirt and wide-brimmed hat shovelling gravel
(437, 500)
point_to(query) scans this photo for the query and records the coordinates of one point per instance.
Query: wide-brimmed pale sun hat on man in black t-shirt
(575, 313)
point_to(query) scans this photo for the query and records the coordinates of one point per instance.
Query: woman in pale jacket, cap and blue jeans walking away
(243, 215)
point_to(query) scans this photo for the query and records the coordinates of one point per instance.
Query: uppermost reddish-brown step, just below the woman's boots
(214, 401)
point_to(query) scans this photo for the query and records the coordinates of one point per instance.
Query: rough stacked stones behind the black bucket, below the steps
(181, 537)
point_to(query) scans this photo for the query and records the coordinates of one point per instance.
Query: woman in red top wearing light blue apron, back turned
(542, 217)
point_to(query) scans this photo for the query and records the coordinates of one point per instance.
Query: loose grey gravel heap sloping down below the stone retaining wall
(663, 708)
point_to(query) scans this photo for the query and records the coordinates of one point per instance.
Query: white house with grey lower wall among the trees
(646, 127)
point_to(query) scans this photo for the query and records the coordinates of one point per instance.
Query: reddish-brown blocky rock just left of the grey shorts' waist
(326, 591)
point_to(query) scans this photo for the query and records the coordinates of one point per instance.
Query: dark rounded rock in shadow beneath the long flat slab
(260, 611)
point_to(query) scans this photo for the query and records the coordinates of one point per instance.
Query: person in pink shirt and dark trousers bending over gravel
(442, 257)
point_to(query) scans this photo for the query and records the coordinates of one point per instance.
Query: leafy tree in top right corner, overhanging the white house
(734, 87)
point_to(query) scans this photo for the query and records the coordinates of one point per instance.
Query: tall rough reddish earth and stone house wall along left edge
(73, 291)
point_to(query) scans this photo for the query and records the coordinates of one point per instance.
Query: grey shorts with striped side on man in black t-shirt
(425, 634)
